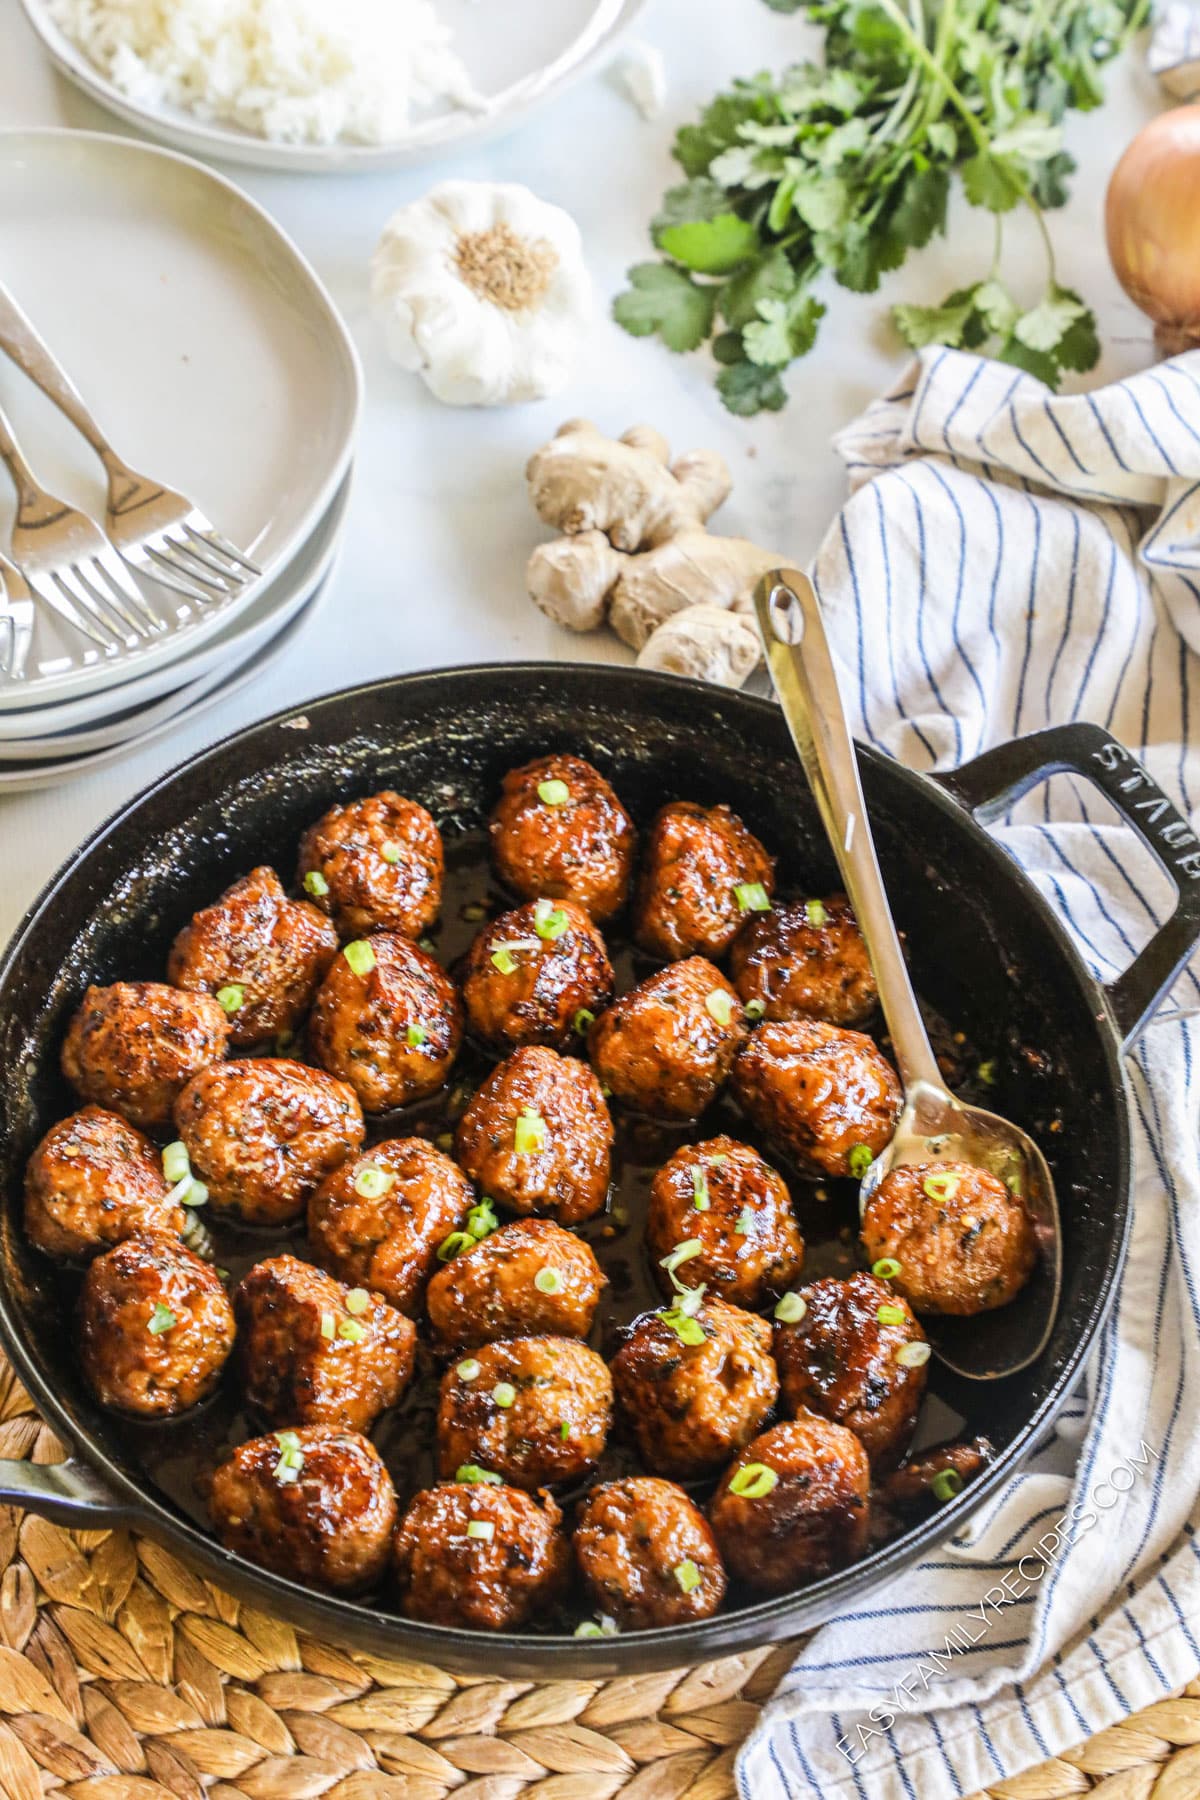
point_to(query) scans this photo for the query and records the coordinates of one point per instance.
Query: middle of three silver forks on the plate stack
(69, 562)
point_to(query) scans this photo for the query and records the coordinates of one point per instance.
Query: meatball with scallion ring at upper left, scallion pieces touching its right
(381, 1218)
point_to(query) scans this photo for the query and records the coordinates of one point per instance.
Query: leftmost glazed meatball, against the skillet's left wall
(93, 1182)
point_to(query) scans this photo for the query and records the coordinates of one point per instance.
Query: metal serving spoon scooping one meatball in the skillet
(935, 1128)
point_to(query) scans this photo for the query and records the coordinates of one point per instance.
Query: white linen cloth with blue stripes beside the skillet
(1010, 561)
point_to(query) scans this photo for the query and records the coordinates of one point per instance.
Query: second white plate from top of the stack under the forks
(255, 627)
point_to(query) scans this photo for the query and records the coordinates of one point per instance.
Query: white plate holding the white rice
(517, 53)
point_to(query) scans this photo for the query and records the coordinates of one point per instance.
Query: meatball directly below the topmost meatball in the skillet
(530, 975)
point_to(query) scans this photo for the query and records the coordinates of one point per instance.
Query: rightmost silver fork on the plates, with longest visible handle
(159, 532)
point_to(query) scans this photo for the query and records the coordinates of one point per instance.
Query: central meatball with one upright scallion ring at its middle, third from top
(539, 1138)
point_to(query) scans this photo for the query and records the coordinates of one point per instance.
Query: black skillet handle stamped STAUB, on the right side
(992, 782)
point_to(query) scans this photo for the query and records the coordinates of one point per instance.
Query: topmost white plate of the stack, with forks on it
(206, 346)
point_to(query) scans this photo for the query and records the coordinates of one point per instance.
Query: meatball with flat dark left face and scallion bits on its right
(316, 1353)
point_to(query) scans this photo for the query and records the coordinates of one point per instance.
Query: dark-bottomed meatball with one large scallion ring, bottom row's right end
(810, 1520)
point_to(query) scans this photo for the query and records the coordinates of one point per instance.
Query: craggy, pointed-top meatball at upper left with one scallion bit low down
(258, 953)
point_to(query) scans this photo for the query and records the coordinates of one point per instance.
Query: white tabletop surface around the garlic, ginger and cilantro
(440, 526)
